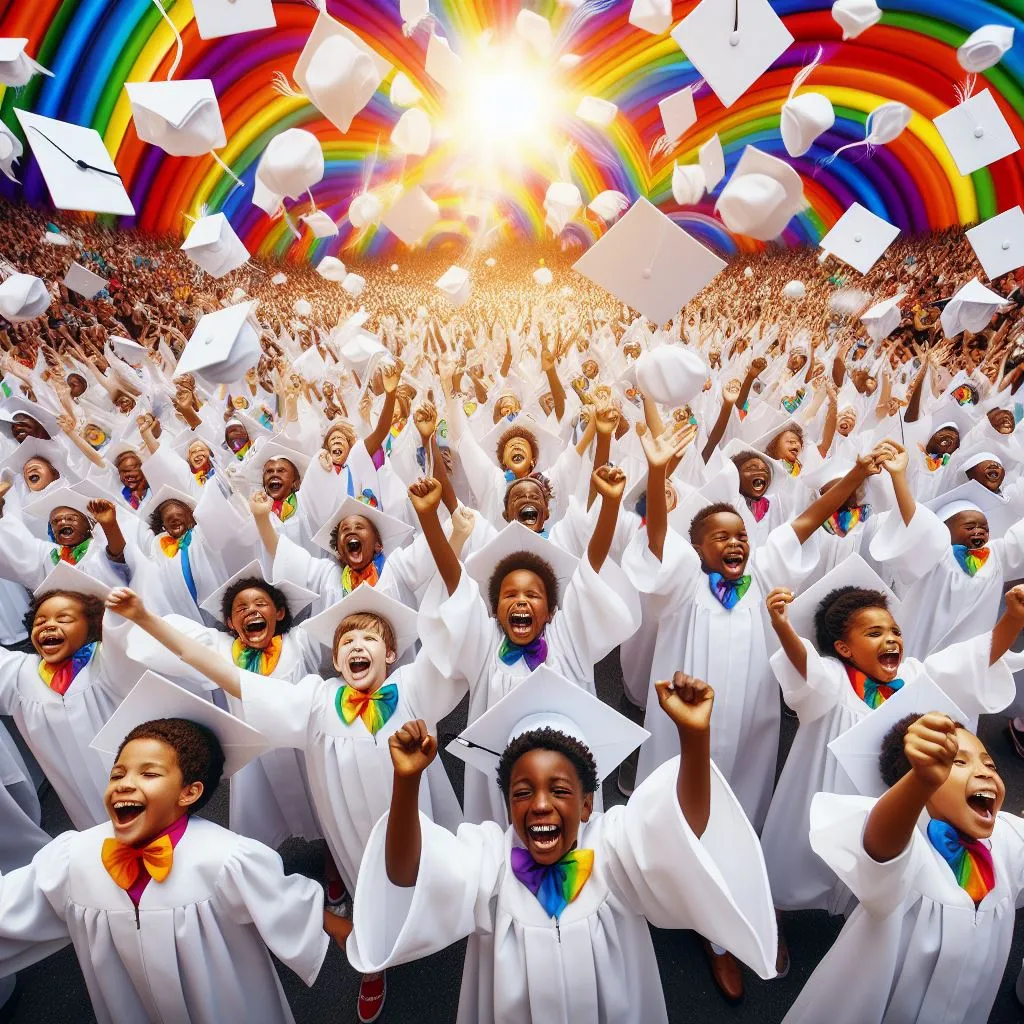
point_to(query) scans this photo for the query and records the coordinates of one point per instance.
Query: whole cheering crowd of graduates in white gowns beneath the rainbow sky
(359, 513)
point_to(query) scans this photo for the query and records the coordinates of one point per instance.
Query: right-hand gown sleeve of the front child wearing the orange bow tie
(286, 910)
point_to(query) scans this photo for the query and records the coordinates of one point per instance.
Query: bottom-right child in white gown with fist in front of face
(935, 923)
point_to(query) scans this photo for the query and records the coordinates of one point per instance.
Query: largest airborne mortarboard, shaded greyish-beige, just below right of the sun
(650, 263)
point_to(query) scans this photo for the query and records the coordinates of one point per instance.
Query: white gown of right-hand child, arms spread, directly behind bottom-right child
(827, 707)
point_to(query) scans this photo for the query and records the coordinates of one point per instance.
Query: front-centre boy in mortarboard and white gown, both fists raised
(557, 906)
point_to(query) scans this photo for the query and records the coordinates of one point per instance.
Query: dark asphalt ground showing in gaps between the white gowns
(54, 991)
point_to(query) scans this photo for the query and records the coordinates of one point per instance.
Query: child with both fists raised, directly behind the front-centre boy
(529, 618)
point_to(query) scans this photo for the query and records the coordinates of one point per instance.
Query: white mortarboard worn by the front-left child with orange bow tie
(155, 698)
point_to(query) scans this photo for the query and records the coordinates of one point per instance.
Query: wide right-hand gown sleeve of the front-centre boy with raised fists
(717, 885)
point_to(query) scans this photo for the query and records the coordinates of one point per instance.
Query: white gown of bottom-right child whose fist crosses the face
(916, 951)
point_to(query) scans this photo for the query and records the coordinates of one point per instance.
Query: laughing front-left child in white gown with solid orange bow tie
(173, 918)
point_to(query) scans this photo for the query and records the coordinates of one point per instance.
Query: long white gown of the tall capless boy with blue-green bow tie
(728, 650)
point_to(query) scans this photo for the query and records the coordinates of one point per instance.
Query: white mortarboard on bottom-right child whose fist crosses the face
(858, 750)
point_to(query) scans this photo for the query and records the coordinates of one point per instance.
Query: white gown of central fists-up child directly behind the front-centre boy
(462, 639)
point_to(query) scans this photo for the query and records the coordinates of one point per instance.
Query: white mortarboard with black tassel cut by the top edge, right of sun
(733, 45)
